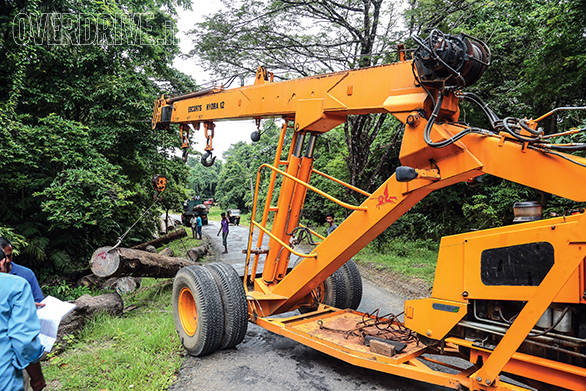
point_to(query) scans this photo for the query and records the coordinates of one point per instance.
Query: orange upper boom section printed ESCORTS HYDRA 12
(317, 103)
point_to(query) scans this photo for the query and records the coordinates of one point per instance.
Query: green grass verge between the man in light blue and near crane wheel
(138, 350)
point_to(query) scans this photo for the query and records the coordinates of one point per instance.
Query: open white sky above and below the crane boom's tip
(226, 132)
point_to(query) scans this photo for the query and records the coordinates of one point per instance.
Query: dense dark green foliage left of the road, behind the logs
(77, 149)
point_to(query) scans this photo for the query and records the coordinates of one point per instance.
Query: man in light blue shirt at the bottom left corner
(20, 347)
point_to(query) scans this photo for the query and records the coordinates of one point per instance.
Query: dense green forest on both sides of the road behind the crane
(78, 152)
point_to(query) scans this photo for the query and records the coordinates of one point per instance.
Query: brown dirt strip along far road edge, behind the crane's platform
(407, 287)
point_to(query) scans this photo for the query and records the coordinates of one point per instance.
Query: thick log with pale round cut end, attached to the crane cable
(129, 262)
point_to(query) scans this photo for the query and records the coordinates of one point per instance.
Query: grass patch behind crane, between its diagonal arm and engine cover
(409, 258)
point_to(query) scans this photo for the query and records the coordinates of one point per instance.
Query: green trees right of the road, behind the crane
(539, 57)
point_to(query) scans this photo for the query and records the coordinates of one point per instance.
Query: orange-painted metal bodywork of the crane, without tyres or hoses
(317, 104)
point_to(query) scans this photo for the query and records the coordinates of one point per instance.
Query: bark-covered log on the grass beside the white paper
(86, 307)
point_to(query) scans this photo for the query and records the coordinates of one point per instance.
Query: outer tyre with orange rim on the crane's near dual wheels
(197, 310)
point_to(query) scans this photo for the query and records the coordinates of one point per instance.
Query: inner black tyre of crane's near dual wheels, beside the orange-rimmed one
(233, 303)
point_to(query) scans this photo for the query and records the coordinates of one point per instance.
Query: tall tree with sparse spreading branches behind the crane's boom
(296, 38)
